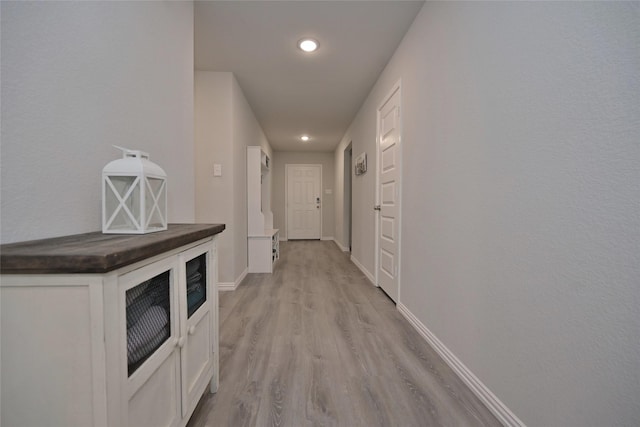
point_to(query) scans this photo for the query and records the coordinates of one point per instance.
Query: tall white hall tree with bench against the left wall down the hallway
(263, 239)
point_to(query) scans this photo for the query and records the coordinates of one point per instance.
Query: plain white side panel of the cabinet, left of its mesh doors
(52, 321)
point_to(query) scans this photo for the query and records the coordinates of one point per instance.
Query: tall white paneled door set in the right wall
(388, 248)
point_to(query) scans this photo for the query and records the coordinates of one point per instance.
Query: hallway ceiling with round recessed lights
(291, 92)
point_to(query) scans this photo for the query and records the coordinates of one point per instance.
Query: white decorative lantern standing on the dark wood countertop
(134, 195)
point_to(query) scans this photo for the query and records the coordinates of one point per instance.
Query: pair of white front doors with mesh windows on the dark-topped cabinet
(165, 386)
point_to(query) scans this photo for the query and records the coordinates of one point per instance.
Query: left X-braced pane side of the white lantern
(124, 202)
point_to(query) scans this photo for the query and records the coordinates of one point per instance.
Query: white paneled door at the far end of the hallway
(303, 201)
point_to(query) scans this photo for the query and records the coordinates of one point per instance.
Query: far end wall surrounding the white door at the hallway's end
(280, 160)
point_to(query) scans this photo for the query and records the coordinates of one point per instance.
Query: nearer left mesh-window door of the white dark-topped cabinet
(150, 322)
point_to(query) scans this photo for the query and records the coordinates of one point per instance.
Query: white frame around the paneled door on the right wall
(397, 87)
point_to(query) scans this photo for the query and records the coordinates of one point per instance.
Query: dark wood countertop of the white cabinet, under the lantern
(96, 252)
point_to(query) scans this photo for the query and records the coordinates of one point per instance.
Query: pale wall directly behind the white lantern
(78, 78)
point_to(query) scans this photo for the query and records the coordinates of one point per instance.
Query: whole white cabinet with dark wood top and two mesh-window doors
(132, 346)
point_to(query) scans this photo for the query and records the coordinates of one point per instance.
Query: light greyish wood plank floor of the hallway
(316, 344)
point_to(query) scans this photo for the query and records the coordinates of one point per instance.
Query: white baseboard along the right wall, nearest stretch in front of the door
(499, 409)
